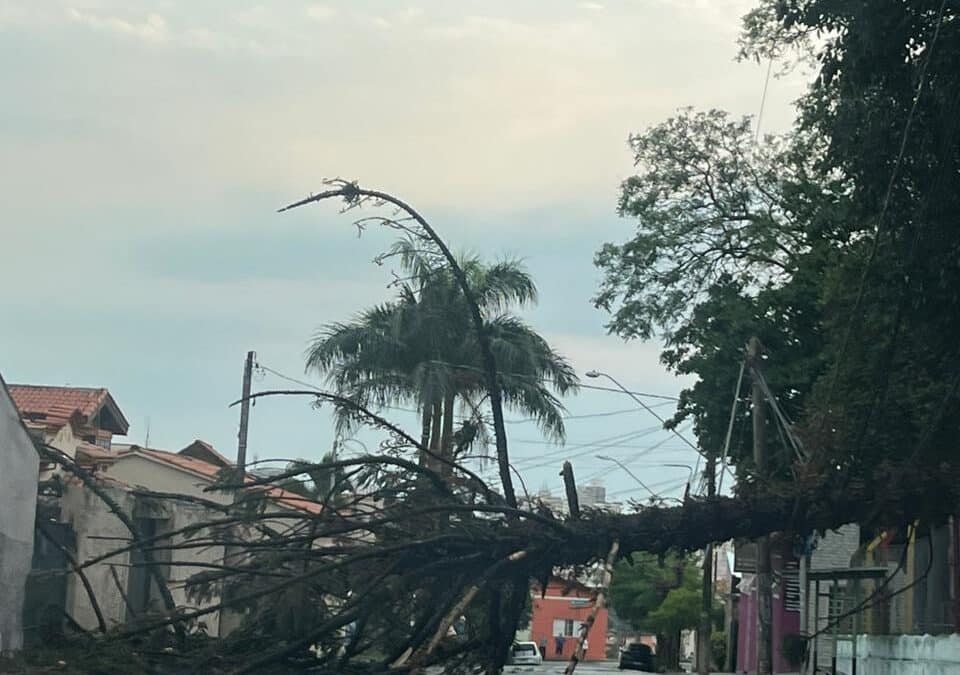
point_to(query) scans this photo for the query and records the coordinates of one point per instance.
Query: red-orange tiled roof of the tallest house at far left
(57, 406)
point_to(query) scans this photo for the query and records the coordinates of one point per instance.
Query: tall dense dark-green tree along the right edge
(886, 100)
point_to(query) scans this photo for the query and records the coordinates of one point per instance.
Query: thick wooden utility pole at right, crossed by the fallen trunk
(764, 572)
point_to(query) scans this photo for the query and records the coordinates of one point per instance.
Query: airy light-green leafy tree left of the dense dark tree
(731, 238)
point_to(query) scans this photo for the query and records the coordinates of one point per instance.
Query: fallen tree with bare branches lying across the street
(401, 549)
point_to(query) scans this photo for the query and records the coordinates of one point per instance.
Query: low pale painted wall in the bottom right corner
(901, 655)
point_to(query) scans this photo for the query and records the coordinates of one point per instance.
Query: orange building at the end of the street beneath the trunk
(559, 613)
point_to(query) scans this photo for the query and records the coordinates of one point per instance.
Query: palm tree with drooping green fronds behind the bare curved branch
(421, 349)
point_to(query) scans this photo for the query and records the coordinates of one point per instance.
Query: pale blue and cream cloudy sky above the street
(145, 147)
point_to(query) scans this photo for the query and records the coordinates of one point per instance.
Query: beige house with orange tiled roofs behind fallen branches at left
(82, 423)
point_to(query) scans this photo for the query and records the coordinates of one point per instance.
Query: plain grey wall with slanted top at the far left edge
(19, 465)
